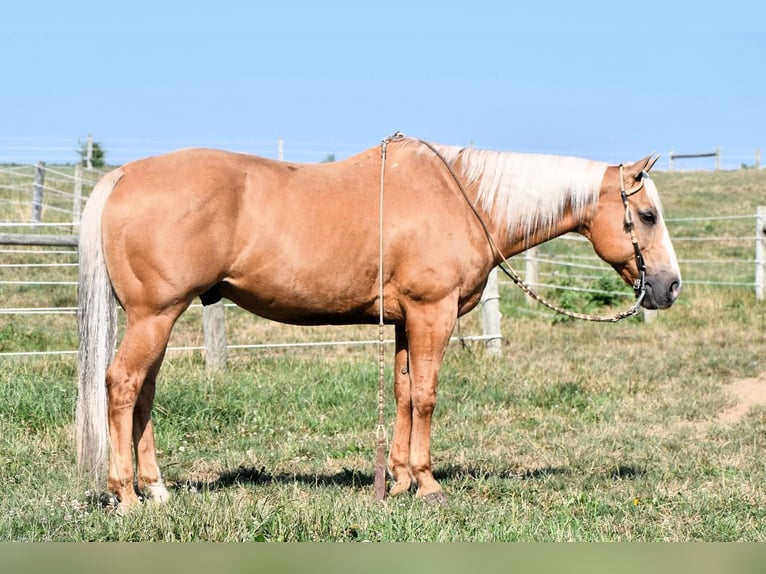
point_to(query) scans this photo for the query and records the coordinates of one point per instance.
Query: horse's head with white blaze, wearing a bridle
(628, 232)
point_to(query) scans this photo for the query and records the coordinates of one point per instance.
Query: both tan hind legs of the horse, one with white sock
(130, 382)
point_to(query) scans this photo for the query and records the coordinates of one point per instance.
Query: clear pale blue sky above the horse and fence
(608, 80)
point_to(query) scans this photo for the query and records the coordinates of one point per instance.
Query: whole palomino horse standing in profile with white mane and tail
(302, 244)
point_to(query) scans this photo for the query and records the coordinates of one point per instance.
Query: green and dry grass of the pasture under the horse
(580, 431)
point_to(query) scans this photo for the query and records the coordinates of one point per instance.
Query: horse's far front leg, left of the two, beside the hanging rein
(399, 457)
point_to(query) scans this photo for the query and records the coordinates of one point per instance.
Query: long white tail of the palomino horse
(97, 325)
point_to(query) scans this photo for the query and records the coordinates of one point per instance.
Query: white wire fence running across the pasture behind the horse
(40, 283)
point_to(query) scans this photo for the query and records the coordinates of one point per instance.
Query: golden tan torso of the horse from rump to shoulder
(292, 242)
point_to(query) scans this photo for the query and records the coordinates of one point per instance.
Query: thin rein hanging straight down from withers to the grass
(380, 458)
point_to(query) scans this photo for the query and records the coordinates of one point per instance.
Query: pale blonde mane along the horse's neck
(527, 192)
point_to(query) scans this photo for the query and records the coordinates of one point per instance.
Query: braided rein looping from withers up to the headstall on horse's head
(639, 287)
